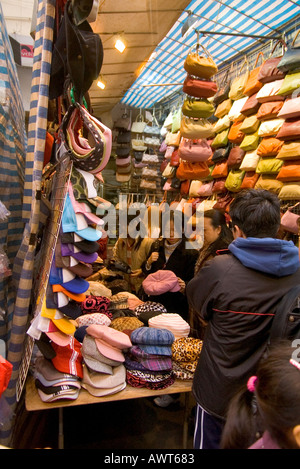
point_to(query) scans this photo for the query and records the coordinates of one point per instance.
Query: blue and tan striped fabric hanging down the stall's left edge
(25, 207)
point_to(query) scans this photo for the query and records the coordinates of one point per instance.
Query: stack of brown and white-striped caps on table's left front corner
(53, 385)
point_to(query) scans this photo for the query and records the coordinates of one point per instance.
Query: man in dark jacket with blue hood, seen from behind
(236, 293)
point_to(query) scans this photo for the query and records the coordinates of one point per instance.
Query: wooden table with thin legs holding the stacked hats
(33, 401)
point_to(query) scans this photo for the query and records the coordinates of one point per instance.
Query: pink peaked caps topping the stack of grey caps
(110, 342)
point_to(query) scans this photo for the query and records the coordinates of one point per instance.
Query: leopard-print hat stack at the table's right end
(185, 355)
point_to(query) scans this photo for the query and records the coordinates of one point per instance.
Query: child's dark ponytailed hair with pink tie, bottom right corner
(276, 395)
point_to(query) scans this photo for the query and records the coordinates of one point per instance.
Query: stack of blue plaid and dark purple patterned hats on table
(149, 361)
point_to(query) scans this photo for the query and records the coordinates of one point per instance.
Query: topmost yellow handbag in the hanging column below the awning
(202, 66)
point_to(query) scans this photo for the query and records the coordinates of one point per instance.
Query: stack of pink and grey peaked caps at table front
(102, 350)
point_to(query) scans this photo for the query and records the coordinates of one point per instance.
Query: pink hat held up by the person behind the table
(160, 282)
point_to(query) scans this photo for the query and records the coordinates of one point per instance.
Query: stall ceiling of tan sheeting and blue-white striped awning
(151, 67)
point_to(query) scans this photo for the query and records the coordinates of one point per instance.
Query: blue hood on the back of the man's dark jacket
(269, 255)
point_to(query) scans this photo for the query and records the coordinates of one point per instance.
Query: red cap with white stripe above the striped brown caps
(68, 358)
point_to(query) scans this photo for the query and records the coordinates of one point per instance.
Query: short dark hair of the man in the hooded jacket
(256, 212)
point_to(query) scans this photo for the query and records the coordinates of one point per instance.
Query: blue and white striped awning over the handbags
(163, 74)
